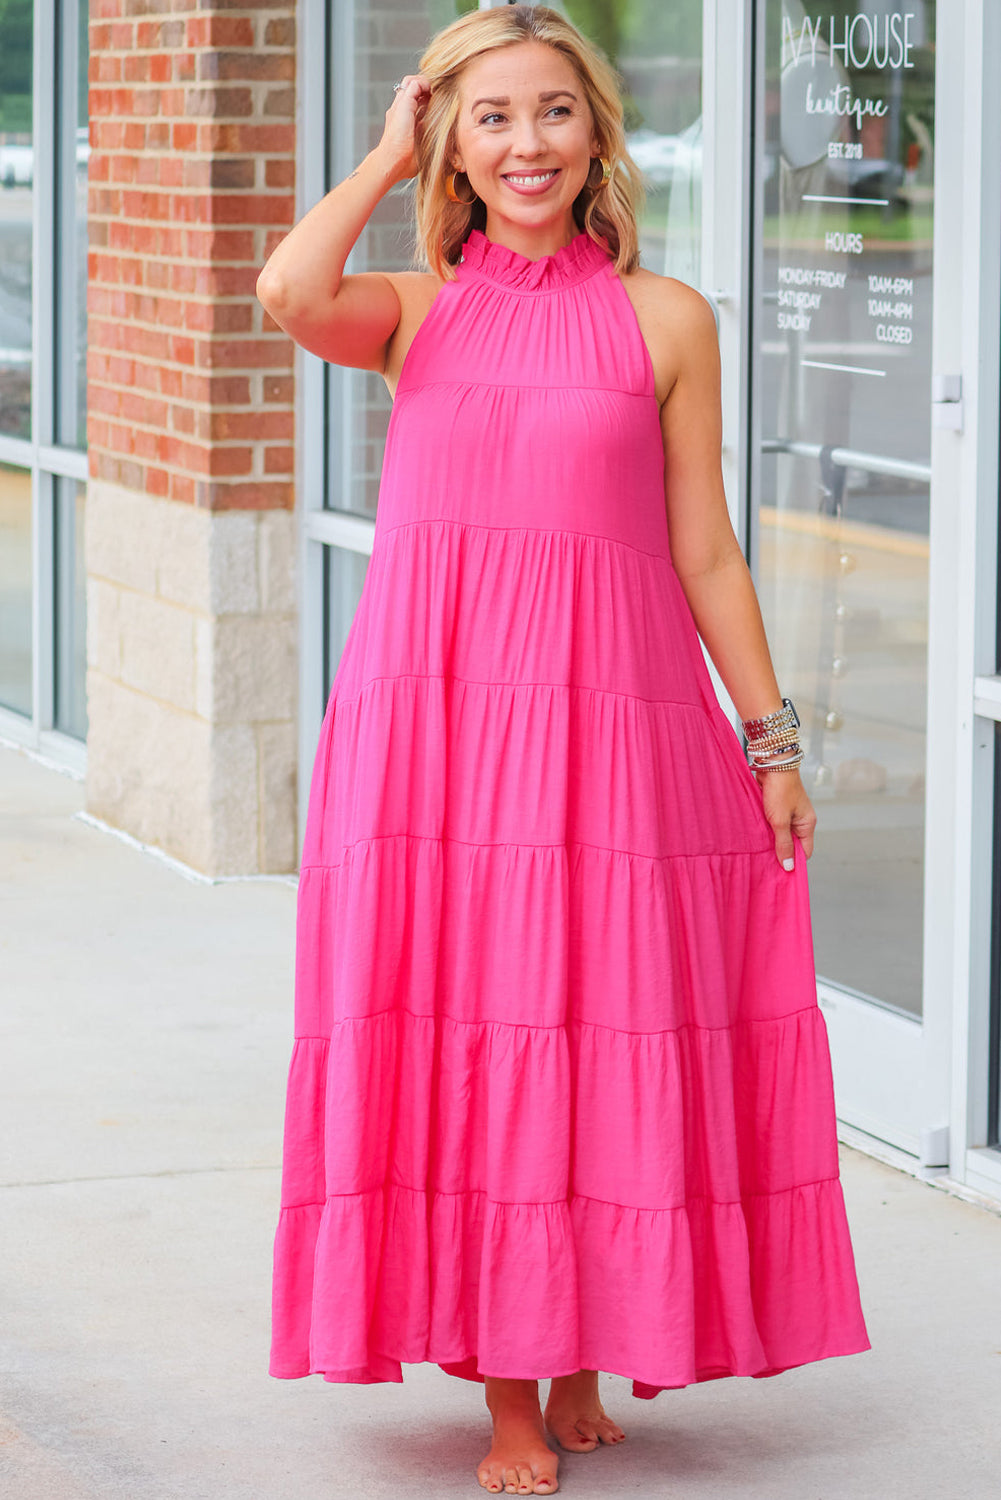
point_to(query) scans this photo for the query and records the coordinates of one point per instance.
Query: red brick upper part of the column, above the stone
(191, 185)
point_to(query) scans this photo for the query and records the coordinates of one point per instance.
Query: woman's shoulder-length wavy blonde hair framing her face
(607, 215)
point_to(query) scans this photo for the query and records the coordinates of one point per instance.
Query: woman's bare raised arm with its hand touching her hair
(347, 320)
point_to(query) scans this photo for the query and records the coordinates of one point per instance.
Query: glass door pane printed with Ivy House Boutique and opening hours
(846, 338)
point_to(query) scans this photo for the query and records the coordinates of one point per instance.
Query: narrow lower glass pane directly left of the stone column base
(71, 610)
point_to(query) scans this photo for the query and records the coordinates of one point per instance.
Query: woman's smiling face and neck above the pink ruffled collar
(526, 140)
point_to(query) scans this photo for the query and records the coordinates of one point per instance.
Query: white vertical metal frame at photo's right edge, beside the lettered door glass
(966, 701)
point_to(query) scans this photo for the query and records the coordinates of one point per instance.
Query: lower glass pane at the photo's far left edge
(16, 589)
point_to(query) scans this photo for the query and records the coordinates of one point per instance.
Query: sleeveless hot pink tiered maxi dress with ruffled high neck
(561, 1091)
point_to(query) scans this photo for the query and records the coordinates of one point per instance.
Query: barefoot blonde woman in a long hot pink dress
(561, 1093)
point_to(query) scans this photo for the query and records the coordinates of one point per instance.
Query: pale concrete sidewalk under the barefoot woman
(146, 1027)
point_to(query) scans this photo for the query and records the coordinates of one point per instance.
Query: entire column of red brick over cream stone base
(191, 559)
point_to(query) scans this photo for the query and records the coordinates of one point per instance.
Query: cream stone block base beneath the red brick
(193, 679)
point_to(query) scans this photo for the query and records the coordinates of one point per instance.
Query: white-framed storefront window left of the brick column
(44, 181)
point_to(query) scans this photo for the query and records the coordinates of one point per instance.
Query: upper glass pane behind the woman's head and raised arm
(658, 52)
